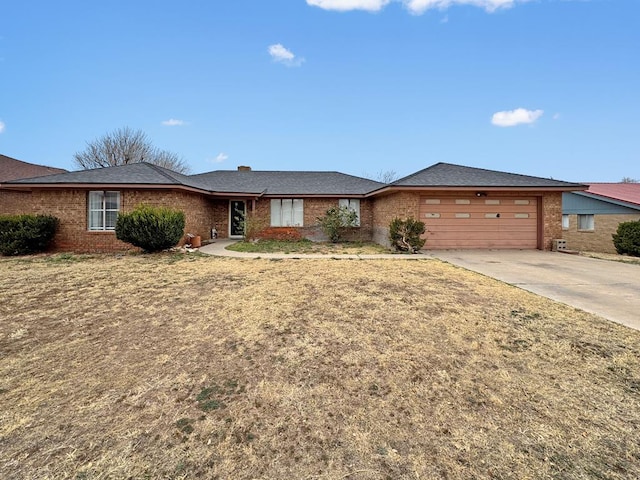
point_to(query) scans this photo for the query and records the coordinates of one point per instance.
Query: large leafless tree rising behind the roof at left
(124, 146)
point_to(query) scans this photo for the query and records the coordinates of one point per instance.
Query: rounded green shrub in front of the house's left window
(151, 228)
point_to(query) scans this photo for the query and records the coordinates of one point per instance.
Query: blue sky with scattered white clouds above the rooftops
(549, 88)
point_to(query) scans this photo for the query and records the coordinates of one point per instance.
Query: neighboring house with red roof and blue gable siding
(592, 216)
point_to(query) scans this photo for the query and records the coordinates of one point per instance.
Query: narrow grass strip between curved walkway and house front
(307, 246)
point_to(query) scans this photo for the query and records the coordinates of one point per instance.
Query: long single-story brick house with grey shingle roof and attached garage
(462, 207)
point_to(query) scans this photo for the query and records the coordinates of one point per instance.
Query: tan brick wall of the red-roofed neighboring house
(598, 240)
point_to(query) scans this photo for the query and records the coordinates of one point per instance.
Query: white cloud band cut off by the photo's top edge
(416, 7)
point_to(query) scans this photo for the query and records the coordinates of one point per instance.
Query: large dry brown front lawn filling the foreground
(187, 367)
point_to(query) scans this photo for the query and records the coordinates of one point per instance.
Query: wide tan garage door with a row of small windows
(473, 222)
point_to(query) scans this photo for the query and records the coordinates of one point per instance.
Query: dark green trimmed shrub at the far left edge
(25, 234)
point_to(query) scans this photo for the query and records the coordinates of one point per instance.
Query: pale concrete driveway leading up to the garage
(607, 288)
